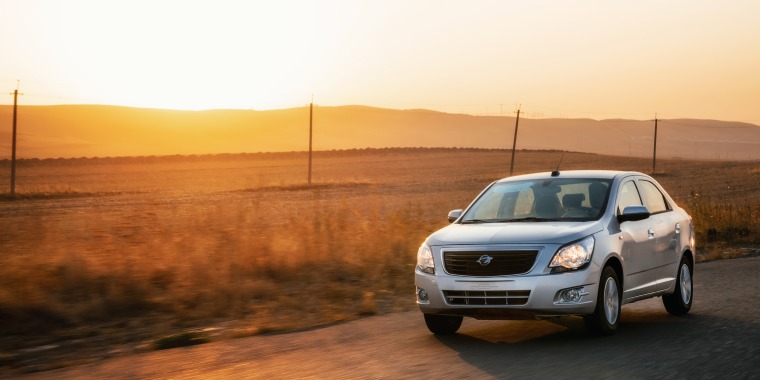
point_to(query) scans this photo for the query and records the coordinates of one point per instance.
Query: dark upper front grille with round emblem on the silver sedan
(488, 263)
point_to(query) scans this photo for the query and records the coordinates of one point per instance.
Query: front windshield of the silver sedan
(549, 199)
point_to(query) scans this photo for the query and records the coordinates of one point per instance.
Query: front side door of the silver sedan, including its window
(639, 246)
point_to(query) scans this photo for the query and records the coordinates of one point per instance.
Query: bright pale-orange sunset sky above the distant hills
(594, 59)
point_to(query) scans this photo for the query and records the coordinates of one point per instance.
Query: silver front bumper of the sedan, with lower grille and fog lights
(507, 297)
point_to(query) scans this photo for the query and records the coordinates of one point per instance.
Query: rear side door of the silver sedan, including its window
(667, 229)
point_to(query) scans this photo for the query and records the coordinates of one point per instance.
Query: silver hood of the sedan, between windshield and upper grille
(513, 233)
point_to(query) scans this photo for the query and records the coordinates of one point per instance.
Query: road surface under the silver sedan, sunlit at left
(720, 338)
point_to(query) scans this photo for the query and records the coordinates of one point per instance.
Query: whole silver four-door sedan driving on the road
(554, 244)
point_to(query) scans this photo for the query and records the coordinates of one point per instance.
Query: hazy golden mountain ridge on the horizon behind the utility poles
(113, 131)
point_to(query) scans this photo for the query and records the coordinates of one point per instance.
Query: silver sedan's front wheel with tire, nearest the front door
(606, 317)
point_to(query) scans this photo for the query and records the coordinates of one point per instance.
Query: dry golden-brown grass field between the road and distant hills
(106, 256)
